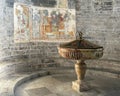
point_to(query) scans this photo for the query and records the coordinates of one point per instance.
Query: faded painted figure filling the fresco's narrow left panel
(22, 22)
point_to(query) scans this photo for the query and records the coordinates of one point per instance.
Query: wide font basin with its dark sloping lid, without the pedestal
(80, 49)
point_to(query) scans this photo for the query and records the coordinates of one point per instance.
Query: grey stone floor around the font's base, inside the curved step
(60, 85)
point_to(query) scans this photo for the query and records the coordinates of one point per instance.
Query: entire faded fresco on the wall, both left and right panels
(38, 23)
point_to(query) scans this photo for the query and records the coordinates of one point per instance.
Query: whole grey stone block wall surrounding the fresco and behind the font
(98, 20)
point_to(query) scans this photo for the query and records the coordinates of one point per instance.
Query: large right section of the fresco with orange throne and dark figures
(58, 24)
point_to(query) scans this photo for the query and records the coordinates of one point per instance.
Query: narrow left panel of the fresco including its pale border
(21, 23)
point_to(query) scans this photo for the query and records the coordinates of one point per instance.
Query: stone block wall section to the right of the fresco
(99, 21)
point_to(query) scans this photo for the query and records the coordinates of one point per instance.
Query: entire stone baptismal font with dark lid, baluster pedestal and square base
(80, 50)
